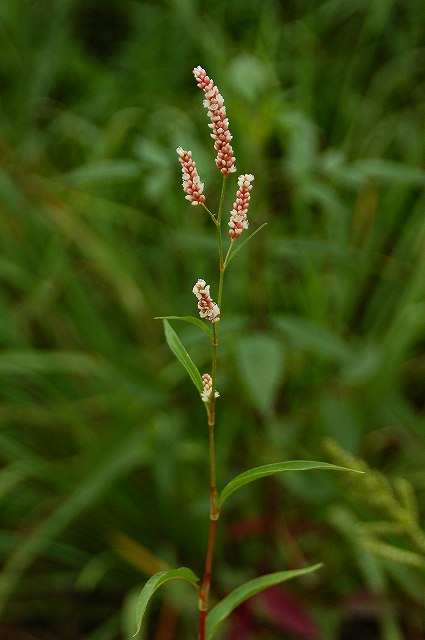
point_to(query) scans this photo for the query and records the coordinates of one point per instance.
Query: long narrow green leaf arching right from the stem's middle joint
(277, 467)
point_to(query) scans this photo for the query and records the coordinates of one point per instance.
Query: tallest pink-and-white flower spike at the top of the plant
(219, 122)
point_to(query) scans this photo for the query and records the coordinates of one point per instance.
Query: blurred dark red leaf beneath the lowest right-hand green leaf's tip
(286, 613)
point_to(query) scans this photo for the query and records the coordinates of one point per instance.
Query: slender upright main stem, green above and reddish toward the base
(214, 507)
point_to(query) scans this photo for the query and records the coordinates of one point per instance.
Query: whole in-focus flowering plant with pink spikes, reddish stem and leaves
(210, 311)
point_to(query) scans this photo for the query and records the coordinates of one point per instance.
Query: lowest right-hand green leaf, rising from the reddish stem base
(222, 610)
